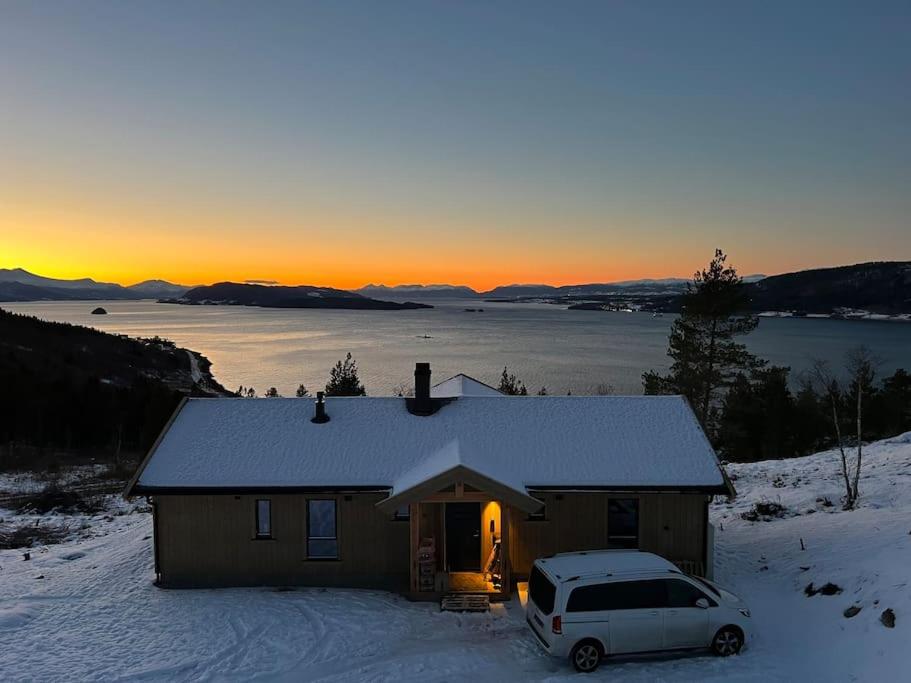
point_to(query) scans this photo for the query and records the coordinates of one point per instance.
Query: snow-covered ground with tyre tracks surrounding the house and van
(87, 609)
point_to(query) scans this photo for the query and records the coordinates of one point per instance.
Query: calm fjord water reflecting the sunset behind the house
(542, 343)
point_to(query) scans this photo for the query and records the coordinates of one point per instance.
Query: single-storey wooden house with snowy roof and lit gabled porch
(423, 495)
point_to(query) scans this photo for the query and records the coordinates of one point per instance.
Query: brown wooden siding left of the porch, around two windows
(209, 540)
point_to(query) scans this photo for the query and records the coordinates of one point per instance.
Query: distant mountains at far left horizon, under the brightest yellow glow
(17, 284)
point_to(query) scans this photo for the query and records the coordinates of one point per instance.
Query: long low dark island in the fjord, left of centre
(302, 296)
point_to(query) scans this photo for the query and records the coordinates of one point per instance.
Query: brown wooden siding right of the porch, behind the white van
(672, 525)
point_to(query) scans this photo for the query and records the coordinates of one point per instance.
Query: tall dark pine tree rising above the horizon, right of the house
(702, 341)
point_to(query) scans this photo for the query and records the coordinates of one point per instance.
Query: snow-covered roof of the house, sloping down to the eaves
(573, 442)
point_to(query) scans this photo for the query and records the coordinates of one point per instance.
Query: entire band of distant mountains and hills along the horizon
(879, 287)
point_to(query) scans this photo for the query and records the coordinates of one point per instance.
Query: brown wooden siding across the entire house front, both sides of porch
(209, 540)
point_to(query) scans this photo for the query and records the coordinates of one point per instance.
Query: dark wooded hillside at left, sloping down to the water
(73, 388)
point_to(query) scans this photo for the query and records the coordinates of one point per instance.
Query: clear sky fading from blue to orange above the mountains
(477, 143)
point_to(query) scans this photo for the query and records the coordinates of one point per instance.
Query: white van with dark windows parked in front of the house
(589, 605)
